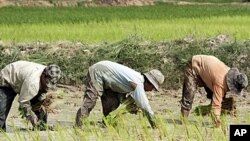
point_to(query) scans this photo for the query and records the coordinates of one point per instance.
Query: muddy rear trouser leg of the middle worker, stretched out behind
(89, 102)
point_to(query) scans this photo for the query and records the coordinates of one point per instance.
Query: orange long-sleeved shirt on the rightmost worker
(213, 73)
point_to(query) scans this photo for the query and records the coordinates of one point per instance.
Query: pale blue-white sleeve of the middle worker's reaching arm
(141, 99)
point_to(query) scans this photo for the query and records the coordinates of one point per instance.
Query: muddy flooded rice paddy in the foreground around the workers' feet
(131, 127)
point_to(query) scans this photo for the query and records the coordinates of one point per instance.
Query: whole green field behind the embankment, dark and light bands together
(100, 24)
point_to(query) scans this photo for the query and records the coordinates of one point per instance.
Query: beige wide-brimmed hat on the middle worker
(155, 77)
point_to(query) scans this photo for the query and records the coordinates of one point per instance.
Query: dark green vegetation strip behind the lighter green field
(62, 15)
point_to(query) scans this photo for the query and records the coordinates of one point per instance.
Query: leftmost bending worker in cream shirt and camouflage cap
(31, 81)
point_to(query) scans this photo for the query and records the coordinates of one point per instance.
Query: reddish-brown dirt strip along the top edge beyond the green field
(93, 3)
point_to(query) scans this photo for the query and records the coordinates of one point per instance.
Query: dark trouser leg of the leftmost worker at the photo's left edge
(7, 96)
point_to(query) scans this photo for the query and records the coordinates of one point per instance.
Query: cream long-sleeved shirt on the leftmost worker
(24, 78)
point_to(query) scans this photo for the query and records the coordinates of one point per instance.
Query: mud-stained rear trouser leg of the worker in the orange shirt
(189, 87)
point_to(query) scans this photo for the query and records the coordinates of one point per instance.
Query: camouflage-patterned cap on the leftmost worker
(53, 74)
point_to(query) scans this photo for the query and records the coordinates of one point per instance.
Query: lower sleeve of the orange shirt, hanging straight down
(217, 100)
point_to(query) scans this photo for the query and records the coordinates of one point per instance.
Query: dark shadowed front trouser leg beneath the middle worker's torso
(110, 101)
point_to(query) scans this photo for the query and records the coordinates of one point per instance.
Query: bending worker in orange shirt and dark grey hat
(217, 79)
